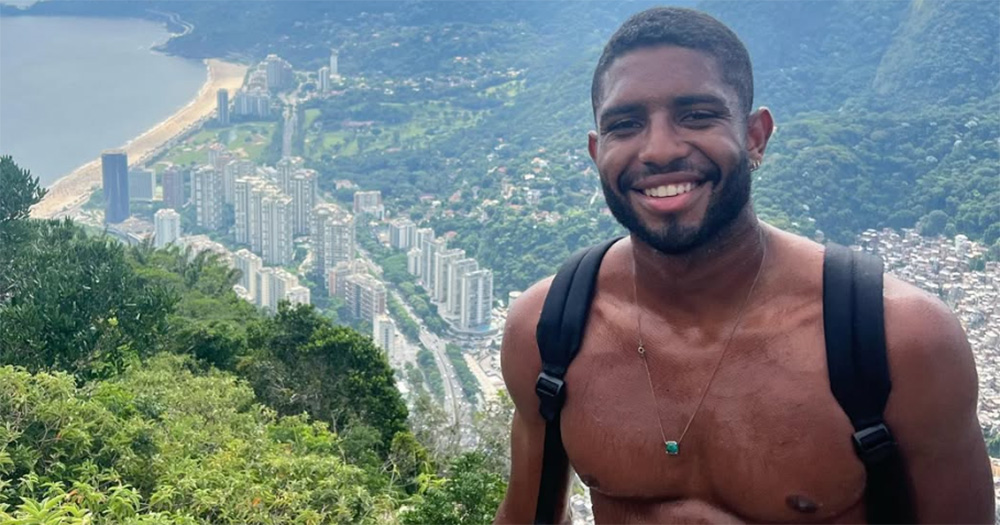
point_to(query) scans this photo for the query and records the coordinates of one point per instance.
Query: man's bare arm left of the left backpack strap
(521, 364)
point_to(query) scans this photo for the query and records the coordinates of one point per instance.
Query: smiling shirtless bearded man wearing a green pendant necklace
(729, 310)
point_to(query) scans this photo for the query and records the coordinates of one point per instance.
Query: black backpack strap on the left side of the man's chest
(559, 333)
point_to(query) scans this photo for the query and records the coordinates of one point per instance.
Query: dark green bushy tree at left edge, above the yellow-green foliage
(75, 304)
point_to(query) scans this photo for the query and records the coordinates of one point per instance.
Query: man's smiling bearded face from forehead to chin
(670, 147)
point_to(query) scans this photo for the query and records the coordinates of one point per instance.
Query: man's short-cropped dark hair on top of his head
(676, 26)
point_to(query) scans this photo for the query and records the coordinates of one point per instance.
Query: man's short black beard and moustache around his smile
(676, 239)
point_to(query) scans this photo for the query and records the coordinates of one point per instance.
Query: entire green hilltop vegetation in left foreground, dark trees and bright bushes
(136, 387)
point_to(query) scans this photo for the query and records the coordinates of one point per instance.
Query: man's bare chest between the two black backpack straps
(769, 442)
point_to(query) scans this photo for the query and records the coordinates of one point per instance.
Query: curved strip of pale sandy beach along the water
(75, 188)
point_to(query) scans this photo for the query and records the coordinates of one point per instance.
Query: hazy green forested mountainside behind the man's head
(888, 112)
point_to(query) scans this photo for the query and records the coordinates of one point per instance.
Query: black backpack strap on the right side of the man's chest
(854, 327)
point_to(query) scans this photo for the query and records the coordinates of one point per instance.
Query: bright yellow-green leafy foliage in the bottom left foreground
(166, 442)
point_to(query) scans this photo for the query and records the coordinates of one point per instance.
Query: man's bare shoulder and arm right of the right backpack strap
(933, 409)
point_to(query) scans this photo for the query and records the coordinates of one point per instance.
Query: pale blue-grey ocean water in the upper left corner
(72, 87)
